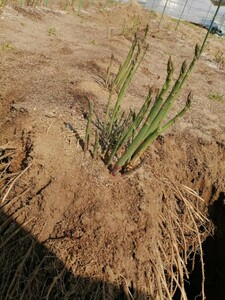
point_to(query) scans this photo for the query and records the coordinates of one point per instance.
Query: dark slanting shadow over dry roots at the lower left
(28, 270)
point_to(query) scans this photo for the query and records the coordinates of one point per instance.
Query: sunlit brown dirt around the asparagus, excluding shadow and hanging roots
(103, 227)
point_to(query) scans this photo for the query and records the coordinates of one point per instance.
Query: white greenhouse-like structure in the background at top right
(195, 11)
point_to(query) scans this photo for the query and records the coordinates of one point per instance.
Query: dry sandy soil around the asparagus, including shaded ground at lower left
(87, 234)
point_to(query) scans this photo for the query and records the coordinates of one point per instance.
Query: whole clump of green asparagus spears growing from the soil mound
(123, 139)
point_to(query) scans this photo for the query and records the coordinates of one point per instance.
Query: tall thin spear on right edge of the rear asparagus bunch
(135, 66)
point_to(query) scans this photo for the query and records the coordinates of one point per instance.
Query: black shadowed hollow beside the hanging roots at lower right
(214, 258)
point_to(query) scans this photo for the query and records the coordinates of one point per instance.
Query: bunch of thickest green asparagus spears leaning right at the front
(152, 126)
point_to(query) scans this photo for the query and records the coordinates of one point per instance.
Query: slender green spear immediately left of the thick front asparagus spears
(127, 134)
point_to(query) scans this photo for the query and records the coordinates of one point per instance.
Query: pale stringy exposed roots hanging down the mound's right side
(183, 229)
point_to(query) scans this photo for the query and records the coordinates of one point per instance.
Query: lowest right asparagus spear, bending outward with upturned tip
(142, 148)
